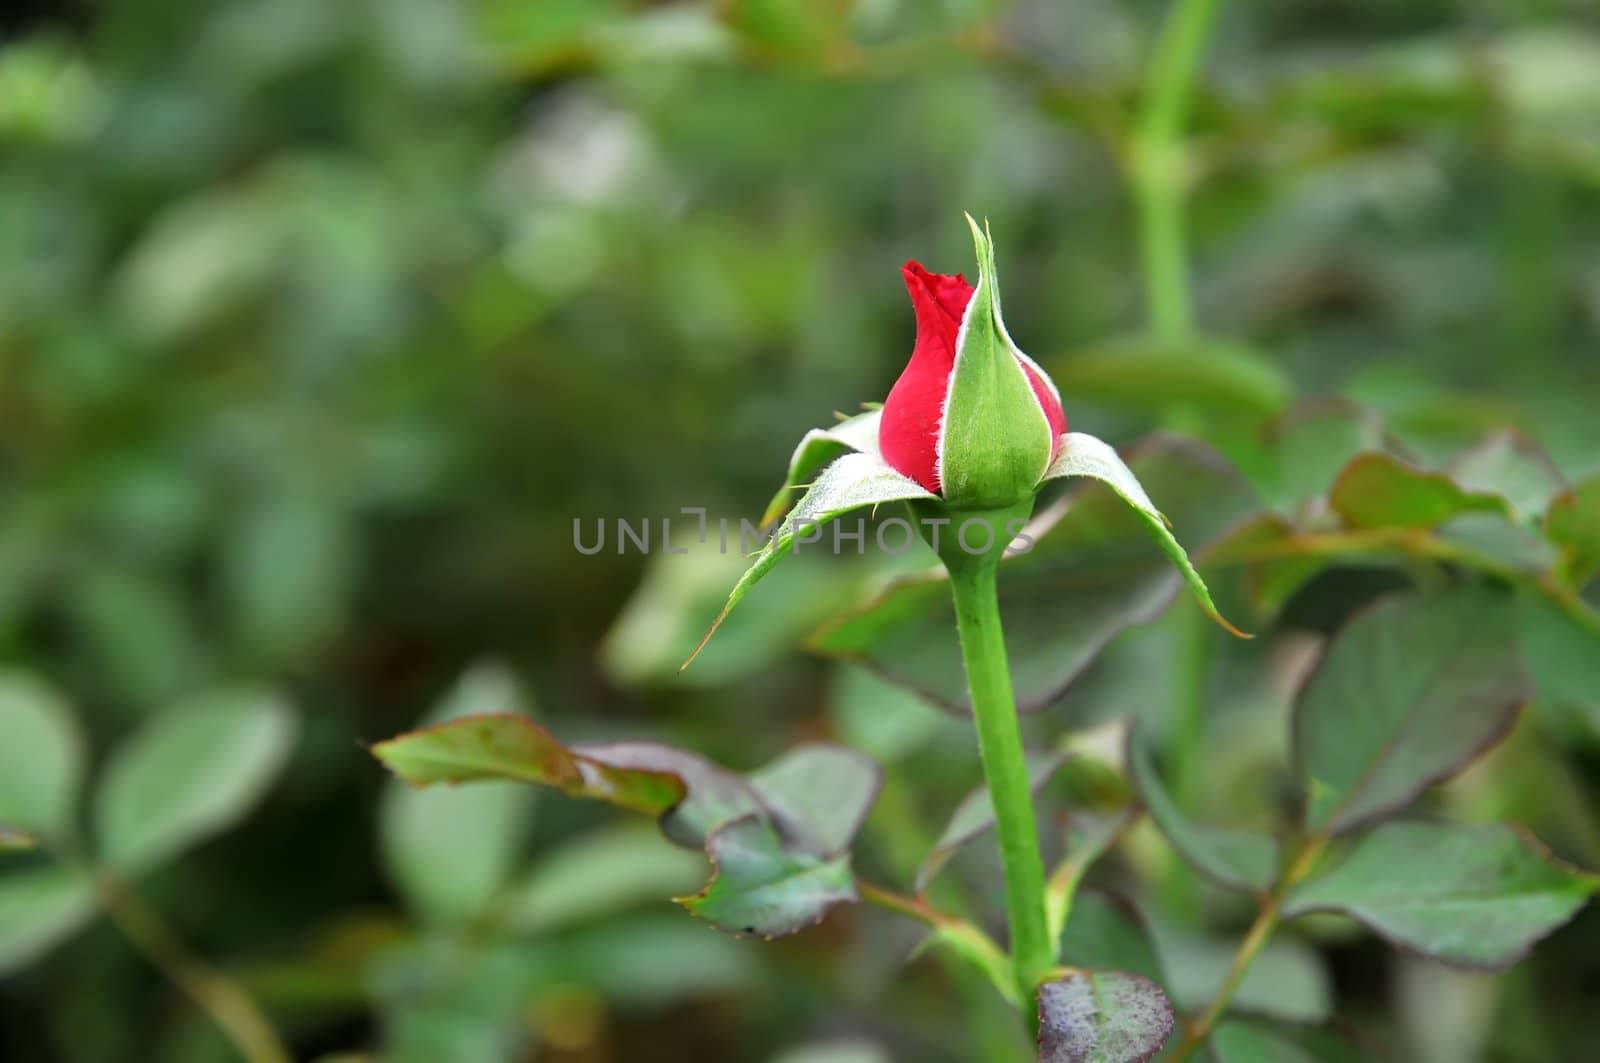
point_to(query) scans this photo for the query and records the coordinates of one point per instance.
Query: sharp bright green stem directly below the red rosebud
(1001, 748)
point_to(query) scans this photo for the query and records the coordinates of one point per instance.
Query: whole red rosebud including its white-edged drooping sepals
(972, 425)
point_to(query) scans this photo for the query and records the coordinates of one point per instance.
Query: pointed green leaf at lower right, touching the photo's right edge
(1468, 896)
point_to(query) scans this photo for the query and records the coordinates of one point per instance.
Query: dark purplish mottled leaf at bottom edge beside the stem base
(1102, 1017)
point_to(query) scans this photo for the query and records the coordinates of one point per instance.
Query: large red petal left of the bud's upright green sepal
(910, 433)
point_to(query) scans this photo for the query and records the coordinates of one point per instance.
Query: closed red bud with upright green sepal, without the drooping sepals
(972, 419)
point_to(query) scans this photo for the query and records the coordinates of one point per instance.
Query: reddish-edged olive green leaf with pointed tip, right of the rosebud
(1385, 492)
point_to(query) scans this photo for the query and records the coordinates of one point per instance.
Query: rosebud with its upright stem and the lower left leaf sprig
(972, 433)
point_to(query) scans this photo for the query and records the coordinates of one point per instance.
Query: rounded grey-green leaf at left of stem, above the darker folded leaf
(820, 796)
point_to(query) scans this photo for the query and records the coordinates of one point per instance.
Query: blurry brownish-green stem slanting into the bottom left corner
(222, 998)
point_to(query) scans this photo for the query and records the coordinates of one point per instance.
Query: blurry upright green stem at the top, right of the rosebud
(1159, 166)
